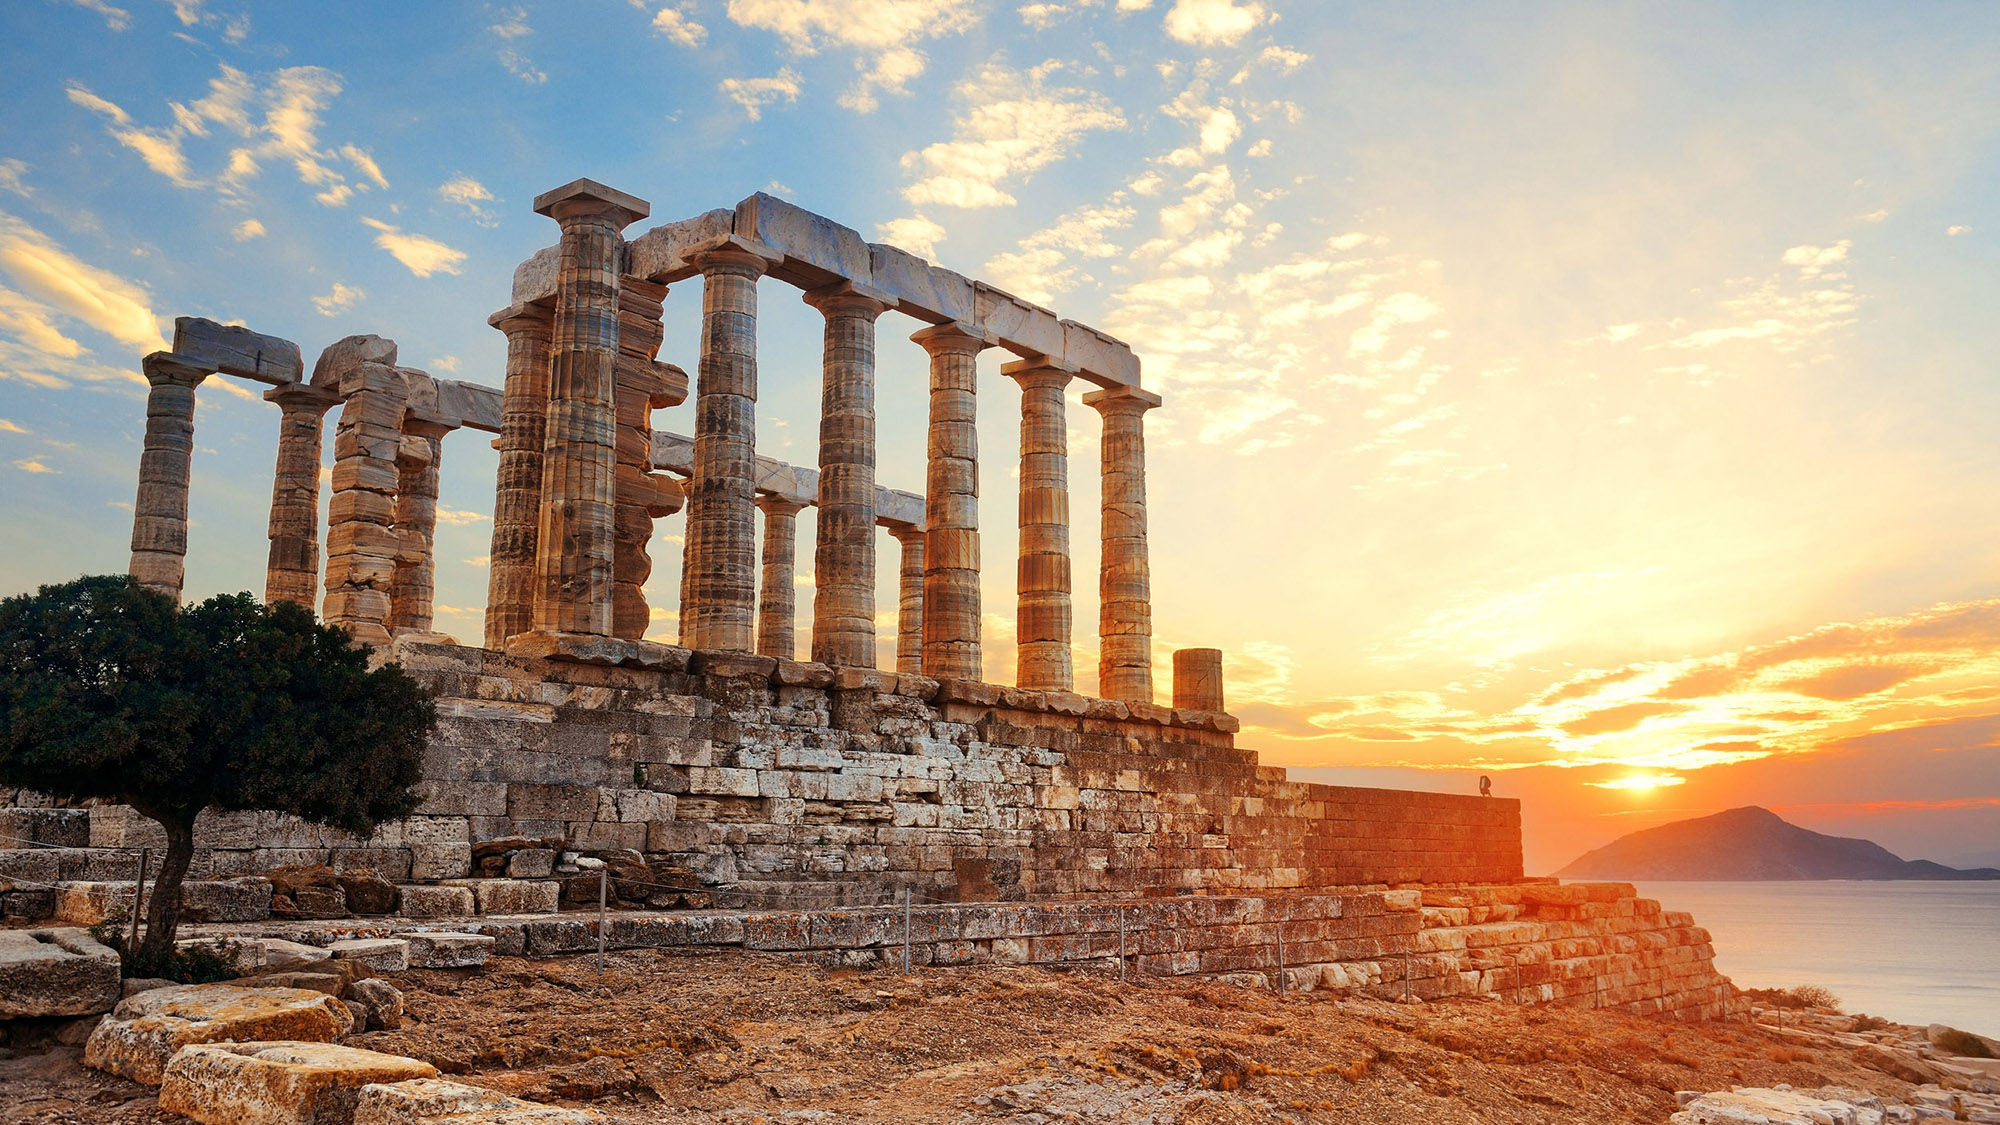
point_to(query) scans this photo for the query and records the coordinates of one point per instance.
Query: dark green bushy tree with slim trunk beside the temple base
(113, 692)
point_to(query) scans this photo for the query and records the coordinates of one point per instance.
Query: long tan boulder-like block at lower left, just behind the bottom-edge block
(151, 1028)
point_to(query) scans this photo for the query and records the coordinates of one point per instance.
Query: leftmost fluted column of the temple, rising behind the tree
(165, 463)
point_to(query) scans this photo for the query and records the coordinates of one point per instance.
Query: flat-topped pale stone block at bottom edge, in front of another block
(277, 1084)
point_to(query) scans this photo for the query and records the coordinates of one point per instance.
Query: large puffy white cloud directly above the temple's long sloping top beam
(1013, 125)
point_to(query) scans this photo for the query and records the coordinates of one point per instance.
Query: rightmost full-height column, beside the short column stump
(1125, 576)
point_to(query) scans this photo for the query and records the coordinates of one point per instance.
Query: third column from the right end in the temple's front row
(953, 507)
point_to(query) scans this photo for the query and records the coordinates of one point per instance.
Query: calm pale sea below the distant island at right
(1907, 952)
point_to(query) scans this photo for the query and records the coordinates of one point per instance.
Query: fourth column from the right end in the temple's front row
(843, 557)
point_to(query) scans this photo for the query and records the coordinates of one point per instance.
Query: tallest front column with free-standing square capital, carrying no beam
(573, 568)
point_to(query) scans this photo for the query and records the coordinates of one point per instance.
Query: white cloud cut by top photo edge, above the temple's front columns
(883, 33)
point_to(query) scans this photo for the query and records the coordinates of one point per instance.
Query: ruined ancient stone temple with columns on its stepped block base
(723, 766)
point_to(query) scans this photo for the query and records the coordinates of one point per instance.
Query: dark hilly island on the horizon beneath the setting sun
(1751, 844)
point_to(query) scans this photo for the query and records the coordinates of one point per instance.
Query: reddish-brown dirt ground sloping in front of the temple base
(667, 1038)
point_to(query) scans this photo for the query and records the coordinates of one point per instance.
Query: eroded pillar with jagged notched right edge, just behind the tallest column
(643, 495)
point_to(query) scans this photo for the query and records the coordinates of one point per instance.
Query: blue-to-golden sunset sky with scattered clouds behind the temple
(1593, 397)
